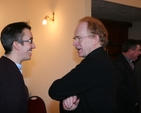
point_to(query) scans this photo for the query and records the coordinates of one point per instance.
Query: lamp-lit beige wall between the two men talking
(54, 55)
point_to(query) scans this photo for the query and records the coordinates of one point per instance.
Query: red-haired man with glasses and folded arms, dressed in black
(90, 87)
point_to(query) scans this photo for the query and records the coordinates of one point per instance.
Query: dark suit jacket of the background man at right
(126, 93)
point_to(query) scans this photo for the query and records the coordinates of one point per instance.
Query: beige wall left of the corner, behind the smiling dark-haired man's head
(12, 11)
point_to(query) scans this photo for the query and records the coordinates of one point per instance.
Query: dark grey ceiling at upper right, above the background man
(112, 11)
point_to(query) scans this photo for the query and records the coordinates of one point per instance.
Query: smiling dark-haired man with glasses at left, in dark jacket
(17, 41)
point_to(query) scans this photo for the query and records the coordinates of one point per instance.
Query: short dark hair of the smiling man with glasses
(12, 32)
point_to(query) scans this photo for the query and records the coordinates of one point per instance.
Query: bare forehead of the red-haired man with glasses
(81, 29)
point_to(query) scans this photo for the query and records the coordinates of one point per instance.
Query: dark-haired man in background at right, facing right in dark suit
(127, 98)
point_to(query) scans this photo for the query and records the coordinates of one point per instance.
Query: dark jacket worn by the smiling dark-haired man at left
(13, 97)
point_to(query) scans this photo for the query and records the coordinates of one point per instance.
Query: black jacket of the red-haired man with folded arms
(93, 81)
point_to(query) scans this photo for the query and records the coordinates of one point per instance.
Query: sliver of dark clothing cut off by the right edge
(138, 81)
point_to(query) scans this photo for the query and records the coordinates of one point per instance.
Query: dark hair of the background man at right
(130, 44)
